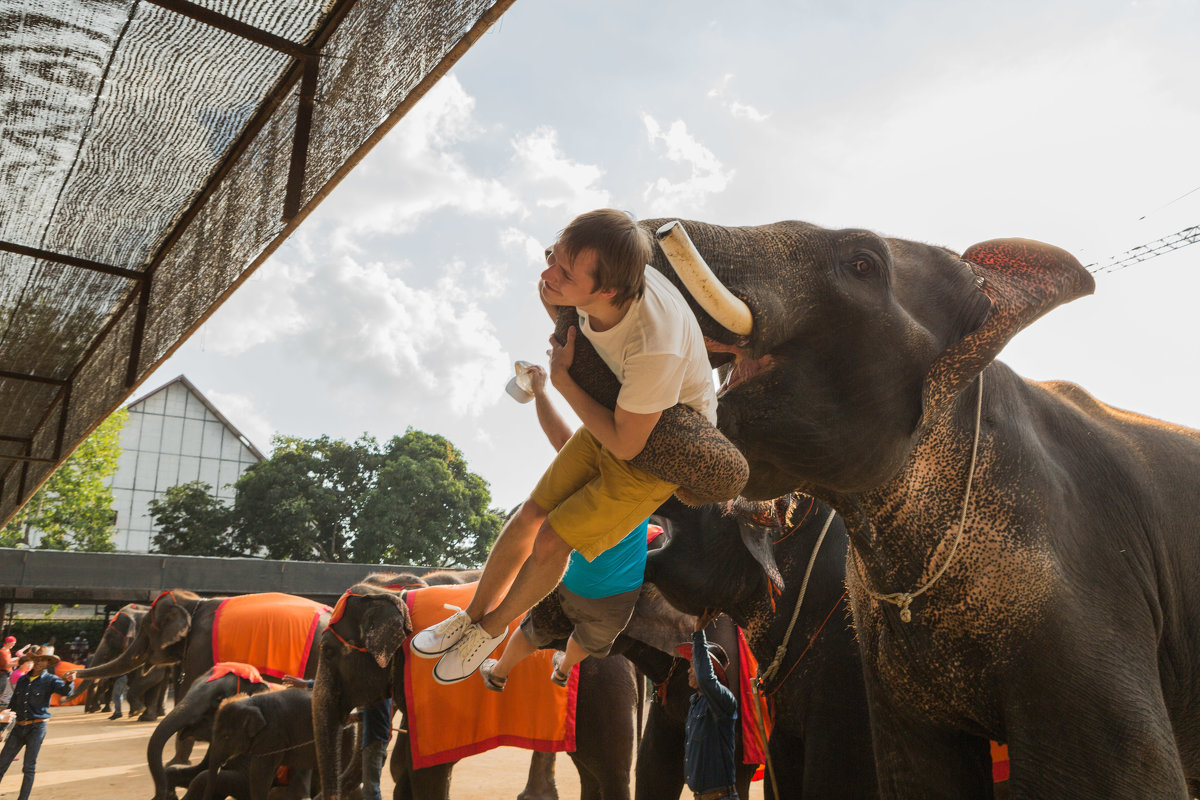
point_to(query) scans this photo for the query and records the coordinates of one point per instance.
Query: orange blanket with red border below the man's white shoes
(451, 723)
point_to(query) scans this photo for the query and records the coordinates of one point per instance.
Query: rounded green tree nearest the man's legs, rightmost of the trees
(427, 508)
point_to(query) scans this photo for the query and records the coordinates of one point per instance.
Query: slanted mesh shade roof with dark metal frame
(154, 153)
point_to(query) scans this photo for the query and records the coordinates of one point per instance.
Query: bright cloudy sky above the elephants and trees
(406, 298)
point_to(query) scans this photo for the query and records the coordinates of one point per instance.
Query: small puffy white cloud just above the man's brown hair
(557, 182)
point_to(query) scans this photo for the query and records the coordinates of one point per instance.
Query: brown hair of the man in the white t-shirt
(623, 250)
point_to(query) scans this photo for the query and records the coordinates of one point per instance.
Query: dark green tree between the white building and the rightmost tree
(304, 502)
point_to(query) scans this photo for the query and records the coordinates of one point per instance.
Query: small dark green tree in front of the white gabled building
(190, 521)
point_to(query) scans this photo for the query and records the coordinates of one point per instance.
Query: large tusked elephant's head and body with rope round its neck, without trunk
(1063, 617)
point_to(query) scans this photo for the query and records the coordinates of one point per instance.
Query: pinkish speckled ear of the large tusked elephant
(1024, 280)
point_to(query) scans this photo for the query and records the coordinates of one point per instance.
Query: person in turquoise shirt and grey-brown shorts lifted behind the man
(598, 597)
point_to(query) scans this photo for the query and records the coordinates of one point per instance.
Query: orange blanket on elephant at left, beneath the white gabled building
(271, 631)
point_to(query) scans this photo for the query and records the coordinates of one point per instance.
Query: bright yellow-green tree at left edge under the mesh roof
(74, 510)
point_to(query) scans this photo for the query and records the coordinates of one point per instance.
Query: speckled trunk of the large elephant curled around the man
(683, 448)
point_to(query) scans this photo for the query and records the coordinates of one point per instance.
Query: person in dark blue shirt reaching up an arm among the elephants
(712, 719)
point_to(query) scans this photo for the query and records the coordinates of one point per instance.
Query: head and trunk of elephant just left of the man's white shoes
(358, 666)
